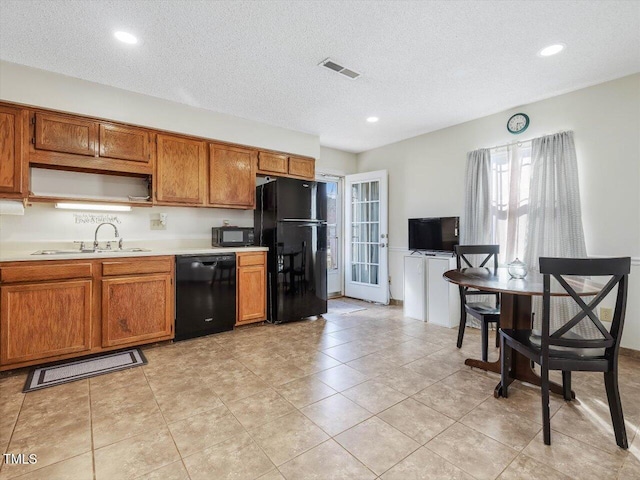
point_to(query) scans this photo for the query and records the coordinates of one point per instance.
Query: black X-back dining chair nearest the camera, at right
(575, 346)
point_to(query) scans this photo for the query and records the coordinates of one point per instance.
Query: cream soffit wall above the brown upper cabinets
(45, 89)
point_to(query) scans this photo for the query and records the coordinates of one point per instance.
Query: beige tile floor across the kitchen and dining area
(363, 395)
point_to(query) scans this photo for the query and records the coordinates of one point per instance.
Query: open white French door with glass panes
(366, 237)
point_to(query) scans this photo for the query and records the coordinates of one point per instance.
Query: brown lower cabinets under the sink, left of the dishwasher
(54, 310)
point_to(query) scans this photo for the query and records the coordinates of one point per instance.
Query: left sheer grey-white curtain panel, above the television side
(476, 228)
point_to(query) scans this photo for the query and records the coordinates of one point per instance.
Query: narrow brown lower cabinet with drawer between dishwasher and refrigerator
(251, 284)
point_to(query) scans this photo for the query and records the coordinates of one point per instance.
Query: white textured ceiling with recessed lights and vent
(425, 65)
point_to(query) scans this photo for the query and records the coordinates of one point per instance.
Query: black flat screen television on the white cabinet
(438, 234)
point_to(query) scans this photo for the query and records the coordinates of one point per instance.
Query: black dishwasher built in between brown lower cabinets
(205, 294)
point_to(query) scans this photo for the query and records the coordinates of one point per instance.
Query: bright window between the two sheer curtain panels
(510, 180)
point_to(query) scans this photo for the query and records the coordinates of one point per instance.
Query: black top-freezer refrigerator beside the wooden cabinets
(291, 219)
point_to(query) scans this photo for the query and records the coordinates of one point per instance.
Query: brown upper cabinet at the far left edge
(11, 167)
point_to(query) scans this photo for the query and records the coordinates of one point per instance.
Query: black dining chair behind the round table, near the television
(484, 312)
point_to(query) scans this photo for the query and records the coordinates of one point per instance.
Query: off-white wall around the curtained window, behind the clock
(426, 173)
